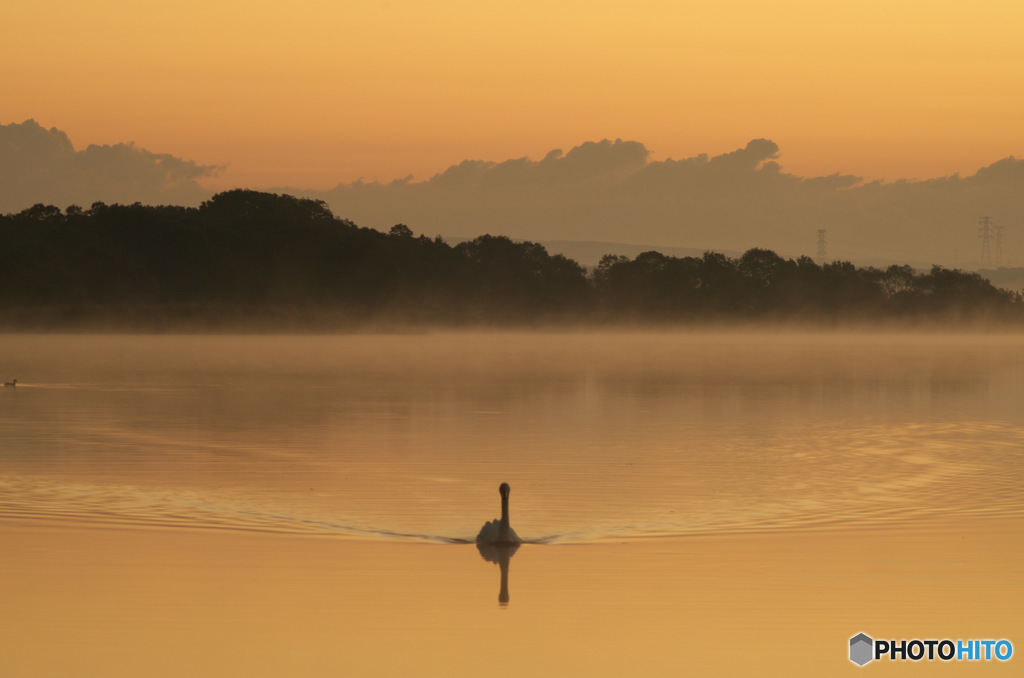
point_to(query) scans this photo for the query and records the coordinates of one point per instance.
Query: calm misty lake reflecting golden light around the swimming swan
(721, 502)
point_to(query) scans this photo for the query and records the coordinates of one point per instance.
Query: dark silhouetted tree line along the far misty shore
(249, 257)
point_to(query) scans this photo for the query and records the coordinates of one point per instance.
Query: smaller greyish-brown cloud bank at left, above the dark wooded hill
(42, 166)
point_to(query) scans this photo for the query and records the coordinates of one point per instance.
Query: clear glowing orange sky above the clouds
(312, 94)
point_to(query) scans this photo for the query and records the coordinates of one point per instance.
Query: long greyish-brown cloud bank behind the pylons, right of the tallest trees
(613, 192)
